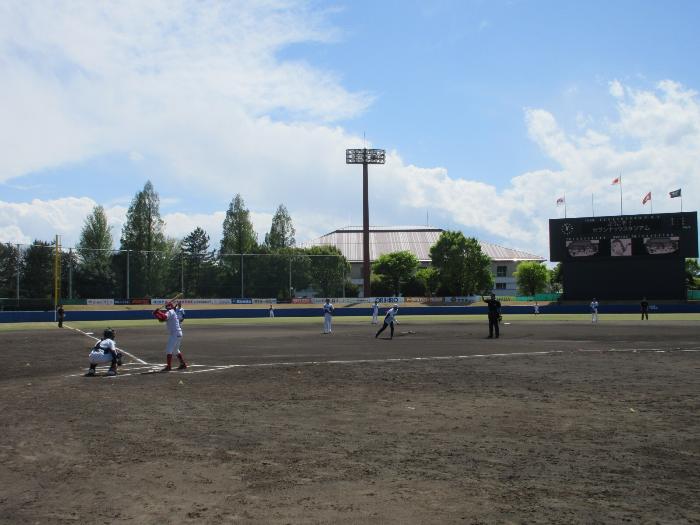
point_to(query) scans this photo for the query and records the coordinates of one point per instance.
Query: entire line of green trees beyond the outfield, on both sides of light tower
(150, 264)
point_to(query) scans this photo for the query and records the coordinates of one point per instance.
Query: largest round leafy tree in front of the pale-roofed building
(464, 269)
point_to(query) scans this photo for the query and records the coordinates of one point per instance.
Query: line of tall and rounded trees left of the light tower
(150, 264)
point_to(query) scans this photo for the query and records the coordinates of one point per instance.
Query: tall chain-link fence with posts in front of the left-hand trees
(28, 275)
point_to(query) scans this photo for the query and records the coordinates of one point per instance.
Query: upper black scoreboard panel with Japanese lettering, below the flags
(657, 236)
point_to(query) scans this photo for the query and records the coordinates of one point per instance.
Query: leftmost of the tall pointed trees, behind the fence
(94, 273)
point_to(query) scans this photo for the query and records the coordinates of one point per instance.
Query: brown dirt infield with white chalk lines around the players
(551, 423)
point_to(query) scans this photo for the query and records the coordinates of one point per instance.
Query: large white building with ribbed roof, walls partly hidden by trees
(418, 240)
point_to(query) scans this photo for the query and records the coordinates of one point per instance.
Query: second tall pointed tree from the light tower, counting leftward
(238, 237)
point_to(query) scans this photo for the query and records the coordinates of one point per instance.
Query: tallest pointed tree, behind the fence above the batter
(143, 236)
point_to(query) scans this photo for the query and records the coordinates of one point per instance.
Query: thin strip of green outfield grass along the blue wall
(403, 319)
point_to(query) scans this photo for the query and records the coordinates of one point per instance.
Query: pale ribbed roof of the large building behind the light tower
(415, 239)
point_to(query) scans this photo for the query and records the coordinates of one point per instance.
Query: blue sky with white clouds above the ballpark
(489, 111)
